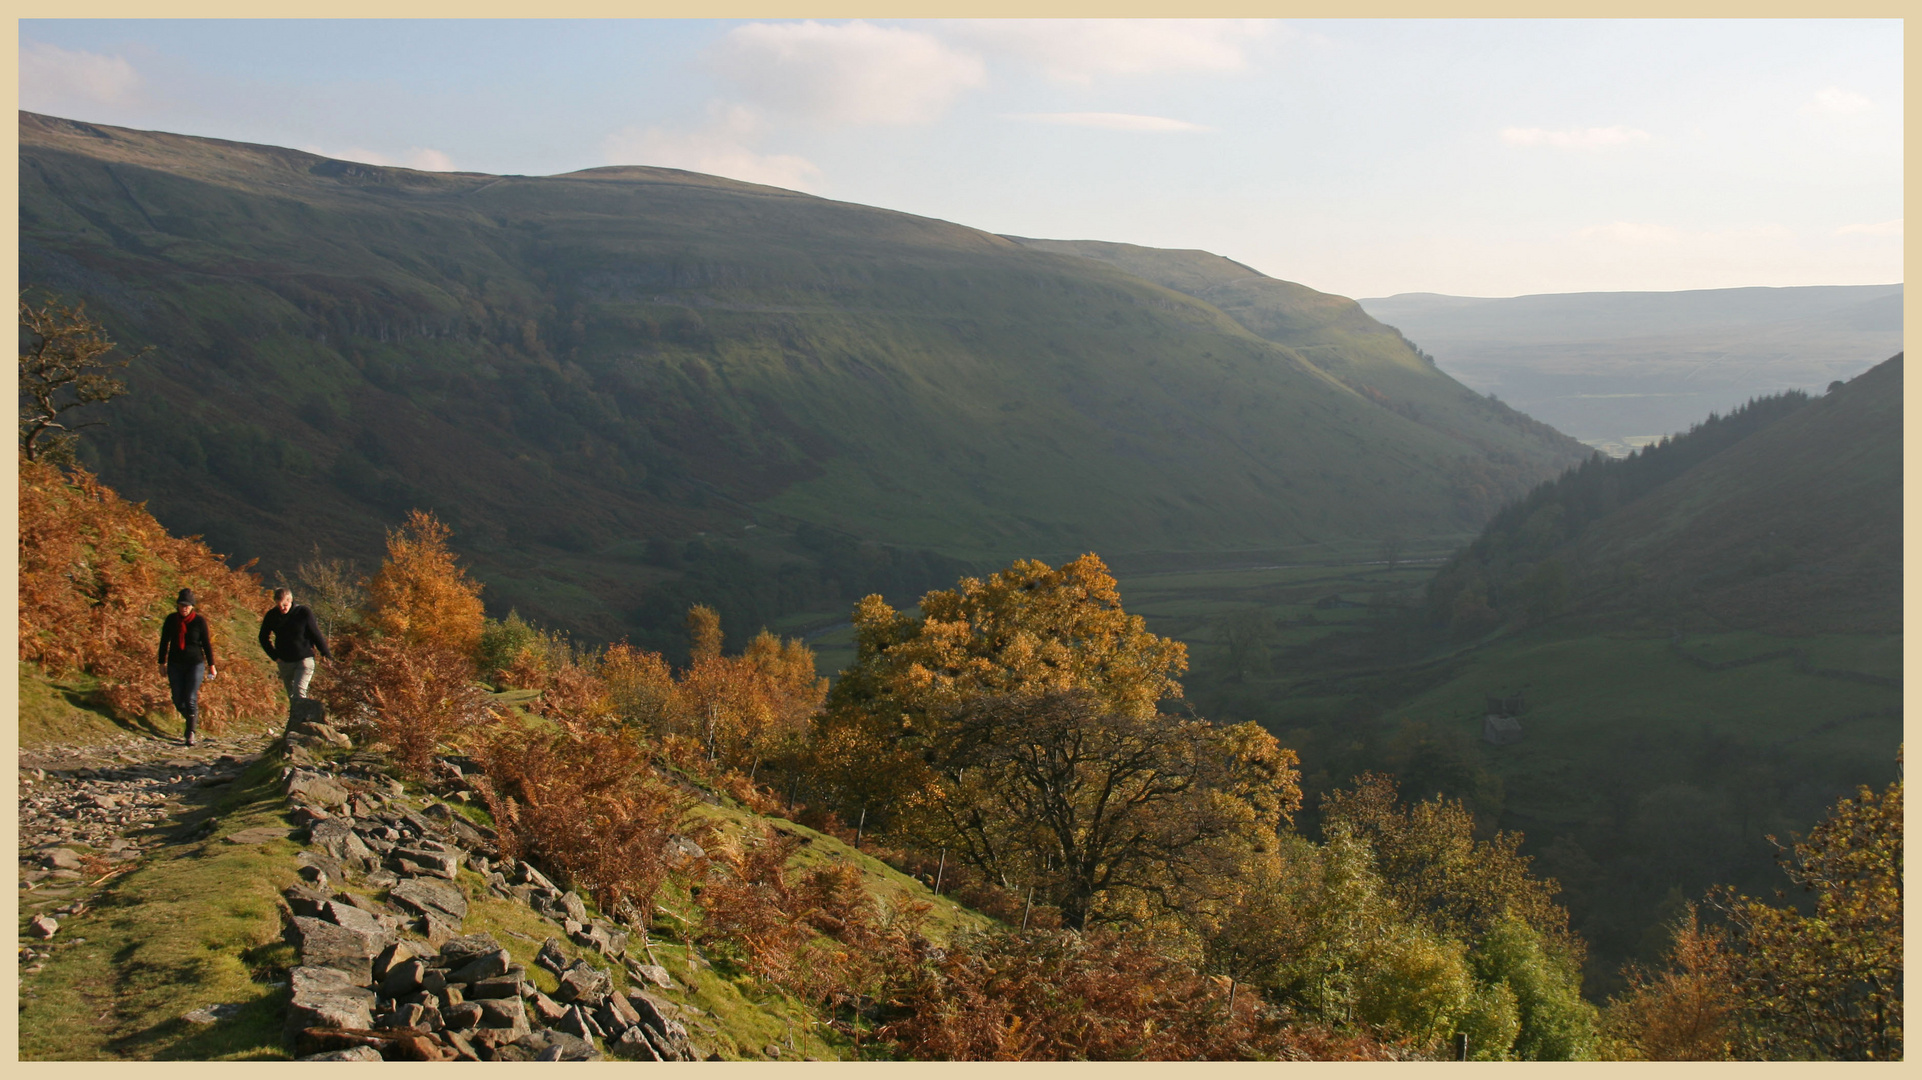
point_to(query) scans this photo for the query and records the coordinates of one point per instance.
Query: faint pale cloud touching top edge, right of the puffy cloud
(1077, 51)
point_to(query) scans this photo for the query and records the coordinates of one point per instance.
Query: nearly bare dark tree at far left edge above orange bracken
(66, 364)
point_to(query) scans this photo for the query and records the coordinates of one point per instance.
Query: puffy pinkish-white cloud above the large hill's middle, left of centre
(849, 74)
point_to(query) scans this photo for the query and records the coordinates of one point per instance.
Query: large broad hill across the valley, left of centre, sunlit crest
(620, 380)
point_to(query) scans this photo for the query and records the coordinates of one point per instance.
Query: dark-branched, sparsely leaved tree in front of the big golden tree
(1089, 802)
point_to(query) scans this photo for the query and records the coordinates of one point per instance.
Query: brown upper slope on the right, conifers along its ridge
(1783, 518)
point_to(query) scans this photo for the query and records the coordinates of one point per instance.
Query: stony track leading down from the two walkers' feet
(91, 814)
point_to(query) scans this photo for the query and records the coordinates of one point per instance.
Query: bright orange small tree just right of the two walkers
(422, 595)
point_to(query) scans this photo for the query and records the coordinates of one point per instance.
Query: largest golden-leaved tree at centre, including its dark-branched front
(1018, 724)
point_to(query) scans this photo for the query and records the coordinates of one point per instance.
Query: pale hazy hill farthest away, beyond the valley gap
(1623, 368)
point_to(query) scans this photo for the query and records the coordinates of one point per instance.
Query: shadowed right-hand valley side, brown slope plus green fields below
(1715, 660)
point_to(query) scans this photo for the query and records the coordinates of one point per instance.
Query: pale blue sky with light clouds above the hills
(1364, 159)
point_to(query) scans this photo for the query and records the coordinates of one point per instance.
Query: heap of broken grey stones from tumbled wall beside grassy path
(385, 968)
